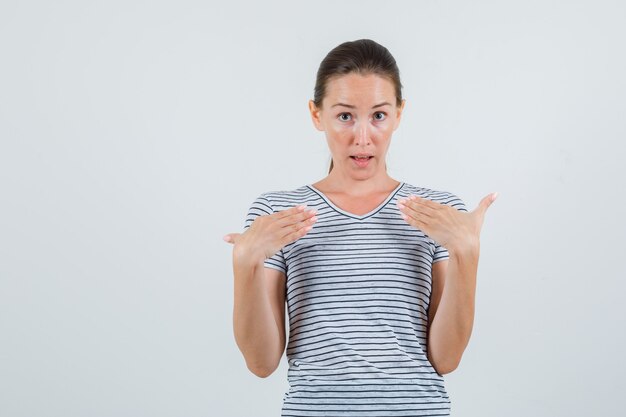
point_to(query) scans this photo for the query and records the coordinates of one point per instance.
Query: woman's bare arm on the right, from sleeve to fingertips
(452, 316)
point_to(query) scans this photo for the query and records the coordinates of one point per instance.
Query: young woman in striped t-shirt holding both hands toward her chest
(378, 275)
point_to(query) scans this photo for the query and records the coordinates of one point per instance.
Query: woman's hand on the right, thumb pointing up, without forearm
(449, 227)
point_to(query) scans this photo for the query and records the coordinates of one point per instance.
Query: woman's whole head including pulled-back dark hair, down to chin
(358, 103)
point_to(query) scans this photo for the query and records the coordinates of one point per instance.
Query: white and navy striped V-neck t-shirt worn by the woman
(358, 291)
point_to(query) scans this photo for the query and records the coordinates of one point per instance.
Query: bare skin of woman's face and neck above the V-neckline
(363, 128)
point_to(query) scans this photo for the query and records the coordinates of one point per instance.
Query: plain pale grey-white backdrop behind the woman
(135, 134)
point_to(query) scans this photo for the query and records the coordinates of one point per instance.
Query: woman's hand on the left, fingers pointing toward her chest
(269, 233)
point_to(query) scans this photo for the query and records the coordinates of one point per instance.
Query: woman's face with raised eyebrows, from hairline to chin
(359, 115)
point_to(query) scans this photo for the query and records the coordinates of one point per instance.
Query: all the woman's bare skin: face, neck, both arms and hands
(360, 127)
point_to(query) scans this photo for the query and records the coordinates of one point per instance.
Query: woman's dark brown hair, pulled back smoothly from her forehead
(363, 56)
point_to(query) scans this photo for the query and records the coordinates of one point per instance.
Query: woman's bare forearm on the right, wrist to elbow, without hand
(451, 312)
